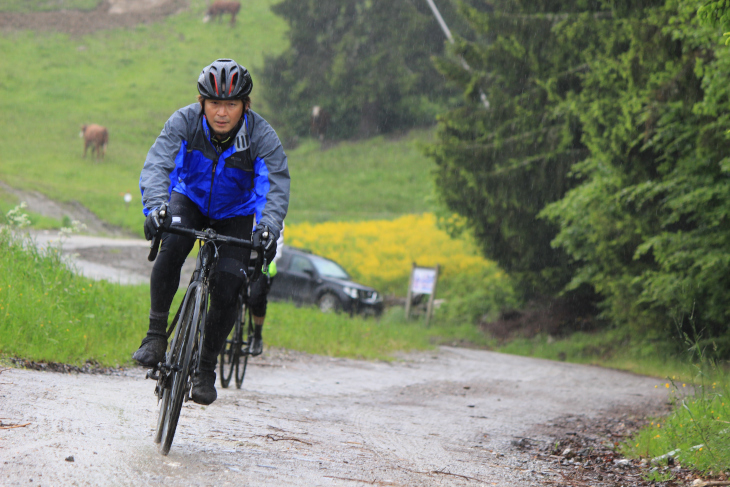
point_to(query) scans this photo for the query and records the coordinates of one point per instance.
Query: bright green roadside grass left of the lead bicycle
(49, 313)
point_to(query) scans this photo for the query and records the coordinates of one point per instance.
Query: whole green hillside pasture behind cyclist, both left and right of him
(131, 80)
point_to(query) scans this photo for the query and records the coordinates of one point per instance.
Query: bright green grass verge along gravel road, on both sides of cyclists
(50, 314)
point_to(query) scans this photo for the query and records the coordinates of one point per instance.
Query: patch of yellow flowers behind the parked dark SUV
(380, 253)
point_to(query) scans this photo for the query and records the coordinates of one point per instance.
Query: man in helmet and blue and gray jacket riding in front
(217, 164)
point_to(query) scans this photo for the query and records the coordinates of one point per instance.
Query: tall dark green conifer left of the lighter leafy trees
(499, 167)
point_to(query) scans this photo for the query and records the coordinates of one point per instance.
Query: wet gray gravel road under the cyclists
(449, 417)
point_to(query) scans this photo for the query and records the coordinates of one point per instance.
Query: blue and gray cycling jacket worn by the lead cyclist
(250, 177)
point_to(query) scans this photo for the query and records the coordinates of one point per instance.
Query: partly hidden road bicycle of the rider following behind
(235, 353)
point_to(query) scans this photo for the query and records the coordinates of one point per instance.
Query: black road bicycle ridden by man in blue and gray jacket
(182, 361)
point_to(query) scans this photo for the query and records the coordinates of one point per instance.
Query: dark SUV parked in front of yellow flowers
(306, 278)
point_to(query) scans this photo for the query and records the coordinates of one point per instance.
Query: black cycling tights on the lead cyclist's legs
(225, 282)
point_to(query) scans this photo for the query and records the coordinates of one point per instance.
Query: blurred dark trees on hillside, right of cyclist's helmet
(367, 62)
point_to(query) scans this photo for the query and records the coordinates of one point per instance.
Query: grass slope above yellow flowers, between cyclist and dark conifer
(380, 178)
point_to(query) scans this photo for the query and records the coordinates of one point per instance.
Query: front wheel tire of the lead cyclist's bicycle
(190, 326)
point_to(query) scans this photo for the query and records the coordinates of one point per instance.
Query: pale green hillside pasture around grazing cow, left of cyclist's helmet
(130, 80)
